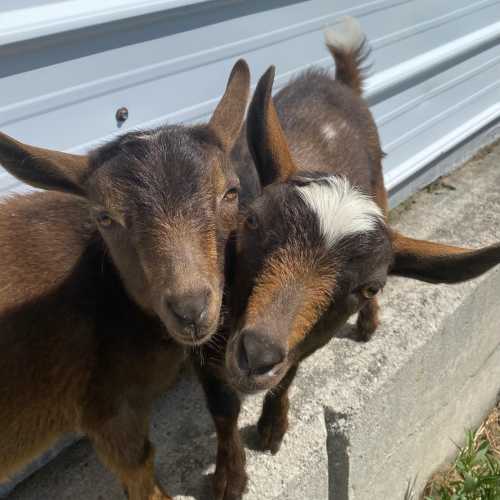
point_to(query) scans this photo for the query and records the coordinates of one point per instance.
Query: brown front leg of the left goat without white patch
(123, 446)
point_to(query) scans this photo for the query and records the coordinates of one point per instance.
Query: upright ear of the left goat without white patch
(229, 114)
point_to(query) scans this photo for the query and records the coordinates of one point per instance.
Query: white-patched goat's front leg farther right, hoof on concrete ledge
(273, 421)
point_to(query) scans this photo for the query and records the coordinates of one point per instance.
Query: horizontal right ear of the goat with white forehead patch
(436, 263)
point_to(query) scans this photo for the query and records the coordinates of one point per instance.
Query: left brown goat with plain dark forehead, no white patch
(103, 281)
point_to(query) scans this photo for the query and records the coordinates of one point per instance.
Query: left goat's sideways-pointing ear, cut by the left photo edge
(43, 168)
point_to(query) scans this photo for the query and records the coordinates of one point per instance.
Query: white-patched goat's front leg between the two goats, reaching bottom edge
(230, 478)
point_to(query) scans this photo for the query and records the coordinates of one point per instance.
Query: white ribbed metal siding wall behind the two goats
(66, 66)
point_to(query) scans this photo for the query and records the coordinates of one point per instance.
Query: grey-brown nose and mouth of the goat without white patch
(189, 312)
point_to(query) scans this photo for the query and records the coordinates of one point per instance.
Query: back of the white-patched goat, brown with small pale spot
(330, 129)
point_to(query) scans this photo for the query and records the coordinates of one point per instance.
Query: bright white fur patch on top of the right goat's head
(342, 210)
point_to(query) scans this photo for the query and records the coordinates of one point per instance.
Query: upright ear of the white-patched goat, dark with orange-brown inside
(266, 139)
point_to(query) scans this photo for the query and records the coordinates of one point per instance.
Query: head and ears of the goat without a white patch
(164, 201)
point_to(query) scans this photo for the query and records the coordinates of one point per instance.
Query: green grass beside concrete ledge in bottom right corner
(475, 473)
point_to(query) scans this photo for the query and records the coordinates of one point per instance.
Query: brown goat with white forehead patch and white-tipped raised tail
(314, 247)
